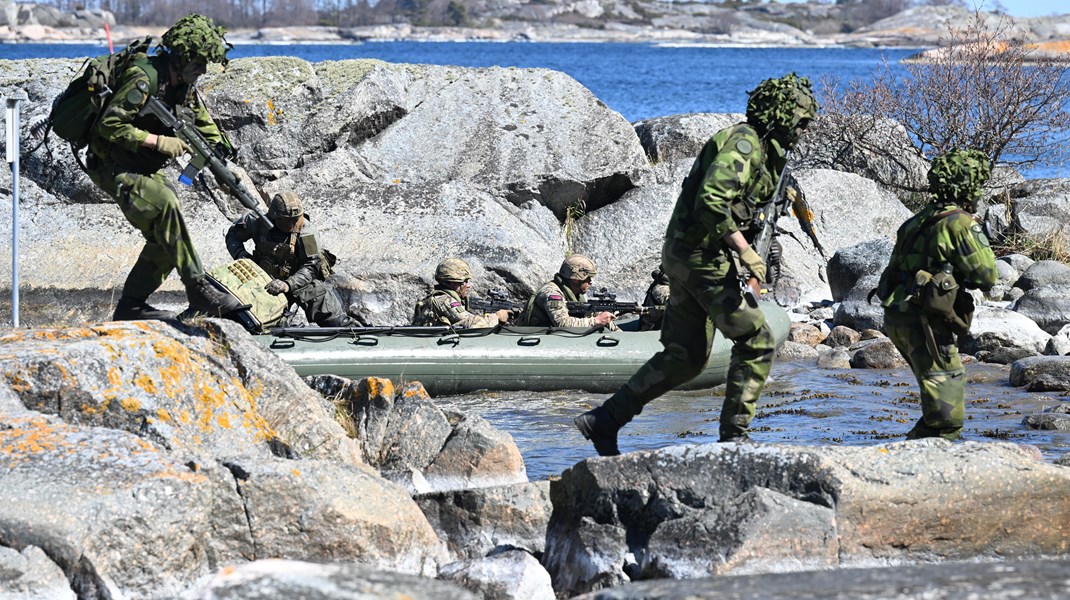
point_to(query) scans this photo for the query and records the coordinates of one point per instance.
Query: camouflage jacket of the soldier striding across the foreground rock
(733, 177)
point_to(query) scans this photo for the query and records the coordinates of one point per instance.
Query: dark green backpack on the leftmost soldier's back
(77, 111)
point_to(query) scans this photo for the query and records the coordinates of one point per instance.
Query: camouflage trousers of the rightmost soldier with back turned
(942, 380)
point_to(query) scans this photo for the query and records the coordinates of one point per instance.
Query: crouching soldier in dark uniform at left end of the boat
(292, 255)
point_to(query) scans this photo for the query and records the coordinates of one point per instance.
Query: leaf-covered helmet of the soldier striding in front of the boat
(781, 104)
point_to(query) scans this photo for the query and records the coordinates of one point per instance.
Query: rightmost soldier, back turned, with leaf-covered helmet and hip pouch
(944, 238)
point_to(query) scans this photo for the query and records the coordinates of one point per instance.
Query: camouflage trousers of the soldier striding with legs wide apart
(697, 306)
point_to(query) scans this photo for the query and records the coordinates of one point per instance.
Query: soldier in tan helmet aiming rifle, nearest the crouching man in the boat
(449, 303)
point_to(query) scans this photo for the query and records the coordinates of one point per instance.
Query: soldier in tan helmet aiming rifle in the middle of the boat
(548, 306)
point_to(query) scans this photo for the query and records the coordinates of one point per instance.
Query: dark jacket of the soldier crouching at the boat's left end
(280, 254)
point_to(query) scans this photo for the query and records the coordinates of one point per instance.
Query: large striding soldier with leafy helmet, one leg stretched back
(733, 177)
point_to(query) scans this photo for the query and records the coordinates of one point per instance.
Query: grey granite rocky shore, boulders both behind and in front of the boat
(146, 460)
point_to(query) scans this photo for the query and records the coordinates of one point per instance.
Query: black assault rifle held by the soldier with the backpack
(204, 156)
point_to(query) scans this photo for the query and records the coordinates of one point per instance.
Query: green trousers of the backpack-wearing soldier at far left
(150, 204)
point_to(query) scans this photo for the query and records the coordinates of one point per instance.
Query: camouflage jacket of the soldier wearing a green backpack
(121, 130)
